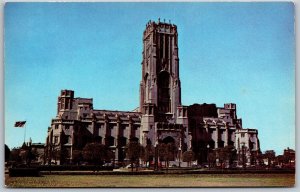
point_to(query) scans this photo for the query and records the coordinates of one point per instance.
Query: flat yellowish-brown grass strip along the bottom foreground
(184, 180)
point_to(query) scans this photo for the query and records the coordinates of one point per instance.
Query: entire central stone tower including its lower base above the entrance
(163, 117)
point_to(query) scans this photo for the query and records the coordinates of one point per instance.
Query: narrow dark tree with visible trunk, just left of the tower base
(134, 151)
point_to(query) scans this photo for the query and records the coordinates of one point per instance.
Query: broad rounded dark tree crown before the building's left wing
(96, 153)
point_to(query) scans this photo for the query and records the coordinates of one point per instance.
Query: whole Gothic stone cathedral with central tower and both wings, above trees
(160, 117)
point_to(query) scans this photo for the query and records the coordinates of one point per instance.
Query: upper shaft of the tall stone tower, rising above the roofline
(160, 85)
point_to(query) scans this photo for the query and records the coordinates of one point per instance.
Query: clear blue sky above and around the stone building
(229, 52)
